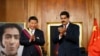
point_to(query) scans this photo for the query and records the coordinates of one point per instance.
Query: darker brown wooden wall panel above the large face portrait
(15, 11)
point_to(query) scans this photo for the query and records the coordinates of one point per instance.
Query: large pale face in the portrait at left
(10, 40)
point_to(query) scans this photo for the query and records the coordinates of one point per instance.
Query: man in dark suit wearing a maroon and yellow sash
(32, 38)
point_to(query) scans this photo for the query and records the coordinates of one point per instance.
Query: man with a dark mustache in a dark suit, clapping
(67, 37)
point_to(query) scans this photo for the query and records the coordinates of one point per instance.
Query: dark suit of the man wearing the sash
(29, 48)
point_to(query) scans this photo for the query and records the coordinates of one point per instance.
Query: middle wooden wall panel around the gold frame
(77, 9)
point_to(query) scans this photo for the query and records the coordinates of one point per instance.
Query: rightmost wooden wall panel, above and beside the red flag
(93, 11)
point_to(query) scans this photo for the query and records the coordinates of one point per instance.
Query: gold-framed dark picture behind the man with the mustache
(51, 26)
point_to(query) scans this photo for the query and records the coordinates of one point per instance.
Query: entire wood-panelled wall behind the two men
(48, 11)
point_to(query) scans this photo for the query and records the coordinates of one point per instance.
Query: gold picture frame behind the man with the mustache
(49, 24)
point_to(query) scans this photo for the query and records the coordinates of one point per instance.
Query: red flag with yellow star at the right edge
(94, 44)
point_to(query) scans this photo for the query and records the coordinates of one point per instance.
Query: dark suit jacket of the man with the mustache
(69, 43)
